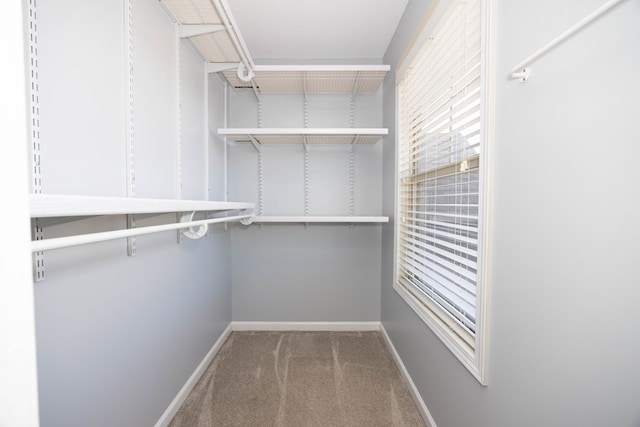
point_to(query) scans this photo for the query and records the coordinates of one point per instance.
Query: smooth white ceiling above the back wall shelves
(317, 29)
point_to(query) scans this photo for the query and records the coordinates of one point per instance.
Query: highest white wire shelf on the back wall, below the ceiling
(312, 79)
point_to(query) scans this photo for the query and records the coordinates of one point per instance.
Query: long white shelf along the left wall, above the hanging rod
(55, 205)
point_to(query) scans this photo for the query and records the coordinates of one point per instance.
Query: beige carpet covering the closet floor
(300, 379)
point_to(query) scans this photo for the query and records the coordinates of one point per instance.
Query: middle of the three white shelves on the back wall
(311, 136)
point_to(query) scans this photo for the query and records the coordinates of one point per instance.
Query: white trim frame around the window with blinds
(473, 359)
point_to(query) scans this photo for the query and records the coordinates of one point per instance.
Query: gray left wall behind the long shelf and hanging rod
(118, 336)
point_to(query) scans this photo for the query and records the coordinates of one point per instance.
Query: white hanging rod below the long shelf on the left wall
(83, 239)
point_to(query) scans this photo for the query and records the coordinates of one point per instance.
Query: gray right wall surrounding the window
(563, 337)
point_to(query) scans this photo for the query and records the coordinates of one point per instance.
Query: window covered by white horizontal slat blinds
(441, 202)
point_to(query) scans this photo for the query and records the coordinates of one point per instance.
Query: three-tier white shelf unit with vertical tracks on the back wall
(310, 80)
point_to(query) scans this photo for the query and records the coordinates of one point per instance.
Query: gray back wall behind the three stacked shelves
(297, 273)
